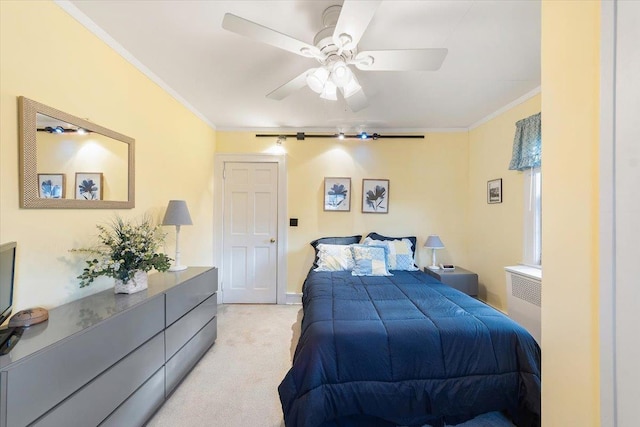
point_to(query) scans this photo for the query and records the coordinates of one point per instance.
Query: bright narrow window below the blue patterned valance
(532, 253)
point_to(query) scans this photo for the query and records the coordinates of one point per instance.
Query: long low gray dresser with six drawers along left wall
(107, 359)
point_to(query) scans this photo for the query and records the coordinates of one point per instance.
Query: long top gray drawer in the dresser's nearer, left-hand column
(39, 383)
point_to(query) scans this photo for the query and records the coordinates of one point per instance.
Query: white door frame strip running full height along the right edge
(618, 302)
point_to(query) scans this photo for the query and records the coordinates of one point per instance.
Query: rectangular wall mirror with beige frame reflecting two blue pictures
(70, 162)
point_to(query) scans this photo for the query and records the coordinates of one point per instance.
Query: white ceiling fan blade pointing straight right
(400, 60)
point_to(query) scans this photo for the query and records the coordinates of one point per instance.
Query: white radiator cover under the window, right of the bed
(524, 297)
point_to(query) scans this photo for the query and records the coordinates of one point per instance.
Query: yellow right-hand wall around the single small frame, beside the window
(496, 230)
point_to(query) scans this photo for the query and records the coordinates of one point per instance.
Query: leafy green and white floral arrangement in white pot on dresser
(126, 252)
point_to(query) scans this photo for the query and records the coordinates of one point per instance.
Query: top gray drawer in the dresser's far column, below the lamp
(187, 295)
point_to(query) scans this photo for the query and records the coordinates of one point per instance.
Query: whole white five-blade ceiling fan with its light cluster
(335, 47)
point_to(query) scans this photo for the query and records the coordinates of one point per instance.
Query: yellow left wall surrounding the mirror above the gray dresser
(47, 56)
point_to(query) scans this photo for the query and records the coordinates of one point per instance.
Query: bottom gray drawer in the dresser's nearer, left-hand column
(141, 405)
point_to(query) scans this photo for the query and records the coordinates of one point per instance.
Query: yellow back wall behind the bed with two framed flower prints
(428, 191)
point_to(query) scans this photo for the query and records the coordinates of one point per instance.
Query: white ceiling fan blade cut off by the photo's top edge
(354, 20)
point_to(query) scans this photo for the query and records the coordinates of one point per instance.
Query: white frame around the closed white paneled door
(218, 210)
